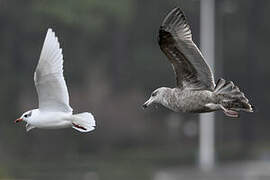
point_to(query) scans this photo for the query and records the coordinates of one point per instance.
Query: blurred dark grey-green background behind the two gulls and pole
(112, 64)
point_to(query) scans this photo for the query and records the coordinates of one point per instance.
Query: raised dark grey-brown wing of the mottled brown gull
(175, 41)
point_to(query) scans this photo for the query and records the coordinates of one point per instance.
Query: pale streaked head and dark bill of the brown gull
(158, 96)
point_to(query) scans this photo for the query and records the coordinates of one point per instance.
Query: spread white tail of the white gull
(83, 122)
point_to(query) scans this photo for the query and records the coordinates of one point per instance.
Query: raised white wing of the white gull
(49, 80)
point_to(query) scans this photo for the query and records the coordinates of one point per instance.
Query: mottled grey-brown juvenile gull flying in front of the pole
(196, 91)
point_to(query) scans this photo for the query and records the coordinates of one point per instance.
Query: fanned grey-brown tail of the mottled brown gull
(231, 97)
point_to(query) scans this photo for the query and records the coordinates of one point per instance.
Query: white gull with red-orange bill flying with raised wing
(54, 111)
